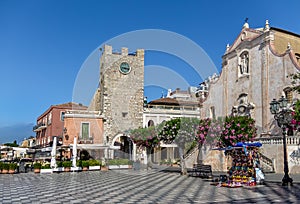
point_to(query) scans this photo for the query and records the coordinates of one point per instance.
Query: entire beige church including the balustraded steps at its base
(254, 72)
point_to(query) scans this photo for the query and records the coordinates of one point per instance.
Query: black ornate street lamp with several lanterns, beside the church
(283, 116)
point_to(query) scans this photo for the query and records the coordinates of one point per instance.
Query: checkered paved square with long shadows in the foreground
(133, 187)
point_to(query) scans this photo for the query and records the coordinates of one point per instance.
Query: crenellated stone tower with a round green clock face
(120, 96)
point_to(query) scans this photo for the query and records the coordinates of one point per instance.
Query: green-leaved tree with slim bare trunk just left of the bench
(181, 131)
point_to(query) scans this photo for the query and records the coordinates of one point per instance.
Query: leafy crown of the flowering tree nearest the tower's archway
(145, 137)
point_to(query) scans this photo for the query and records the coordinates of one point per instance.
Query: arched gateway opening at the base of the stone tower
(123, 147)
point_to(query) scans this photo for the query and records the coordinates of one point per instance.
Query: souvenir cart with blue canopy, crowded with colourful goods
(245, 161)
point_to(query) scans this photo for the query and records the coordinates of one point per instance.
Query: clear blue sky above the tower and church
(44, 44)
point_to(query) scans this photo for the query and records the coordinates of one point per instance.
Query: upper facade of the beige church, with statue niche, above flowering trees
(254, 71)
